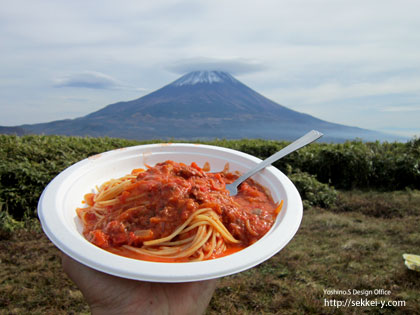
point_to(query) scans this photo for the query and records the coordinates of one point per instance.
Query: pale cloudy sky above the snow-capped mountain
(350, 62)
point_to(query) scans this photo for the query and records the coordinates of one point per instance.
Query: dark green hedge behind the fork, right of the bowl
(349, 165)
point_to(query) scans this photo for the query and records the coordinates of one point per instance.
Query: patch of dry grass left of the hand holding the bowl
(31, 278)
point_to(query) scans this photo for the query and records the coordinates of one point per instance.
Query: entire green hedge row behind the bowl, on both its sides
(28, 163)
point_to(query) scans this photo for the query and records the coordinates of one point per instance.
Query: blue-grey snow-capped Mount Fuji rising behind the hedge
(201, 105)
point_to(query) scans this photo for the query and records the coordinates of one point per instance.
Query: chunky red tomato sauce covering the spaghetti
(161, 198)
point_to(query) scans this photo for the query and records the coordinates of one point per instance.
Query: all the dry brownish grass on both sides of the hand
(355, 246)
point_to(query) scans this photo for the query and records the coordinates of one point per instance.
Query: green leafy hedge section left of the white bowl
(29, 163)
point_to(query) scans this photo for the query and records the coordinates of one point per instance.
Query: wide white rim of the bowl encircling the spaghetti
(73, 244)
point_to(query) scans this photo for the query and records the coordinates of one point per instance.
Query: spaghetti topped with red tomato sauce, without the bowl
(173, 212)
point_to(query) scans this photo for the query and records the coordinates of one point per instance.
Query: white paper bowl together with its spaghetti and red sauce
(161, 212)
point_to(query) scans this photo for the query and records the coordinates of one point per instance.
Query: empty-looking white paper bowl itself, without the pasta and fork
(58, 203)
